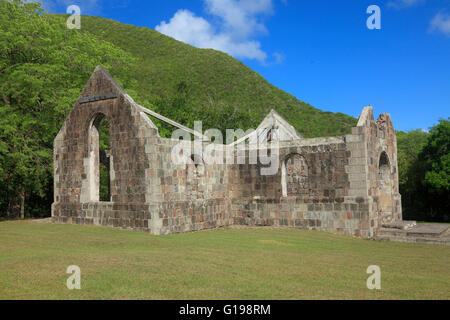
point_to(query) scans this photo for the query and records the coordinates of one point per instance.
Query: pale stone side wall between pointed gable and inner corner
(186, 197)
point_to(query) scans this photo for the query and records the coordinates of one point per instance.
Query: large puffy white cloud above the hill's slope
(236, 23)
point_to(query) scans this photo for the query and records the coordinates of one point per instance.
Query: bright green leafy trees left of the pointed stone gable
(43, 65)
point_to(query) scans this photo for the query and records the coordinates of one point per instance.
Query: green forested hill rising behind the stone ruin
(213, 86)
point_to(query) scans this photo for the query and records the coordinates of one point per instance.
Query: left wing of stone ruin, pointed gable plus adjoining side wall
(148, 191)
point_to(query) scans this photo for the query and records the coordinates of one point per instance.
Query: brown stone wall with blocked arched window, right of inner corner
(327, 203)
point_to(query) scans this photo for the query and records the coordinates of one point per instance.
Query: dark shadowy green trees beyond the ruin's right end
(424, 167)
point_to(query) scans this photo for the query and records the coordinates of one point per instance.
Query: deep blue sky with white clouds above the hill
(319, 51)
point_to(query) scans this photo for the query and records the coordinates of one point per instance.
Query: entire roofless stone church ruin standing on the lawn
(345, 184)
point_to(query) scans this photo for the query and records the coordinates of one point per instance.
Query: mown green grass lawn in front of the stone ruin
(220, 264)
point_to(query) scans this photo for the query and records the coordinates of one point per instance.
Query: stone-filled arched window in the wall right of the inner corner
(295, 176)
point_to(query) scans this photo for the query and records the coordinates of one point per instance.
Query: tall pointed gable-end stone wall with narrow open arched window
(76, 161)
